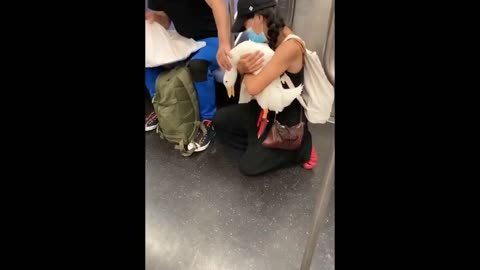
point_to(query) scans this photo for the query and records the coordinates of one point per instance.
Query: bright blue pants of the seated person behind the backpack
(205, 88)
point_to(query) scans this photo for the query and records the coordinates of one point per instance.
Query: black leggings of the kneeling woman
(235, 126)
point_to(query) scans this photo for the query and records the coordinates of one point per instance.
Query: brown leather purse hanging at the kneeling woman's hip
(283, 137)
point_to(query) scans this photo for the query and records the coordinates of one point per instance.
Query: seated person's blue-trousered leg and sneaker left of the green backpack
(151, 74)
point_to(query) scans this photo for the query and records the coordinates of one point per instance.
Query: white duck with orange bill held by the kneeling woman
(274, 97)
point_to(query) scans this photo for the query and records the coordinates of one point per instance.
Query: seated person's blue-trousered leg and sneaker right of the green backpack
(201, 67)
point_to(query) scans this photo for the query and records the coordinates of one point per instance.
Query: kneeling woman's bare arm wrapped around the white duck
(285, 54)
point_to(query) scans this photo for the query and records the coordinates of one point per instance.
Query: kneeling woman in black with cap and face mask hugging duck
(237, 125)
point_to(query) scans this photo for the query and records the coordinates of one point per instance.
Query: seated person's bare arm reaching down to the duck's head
(221, 20)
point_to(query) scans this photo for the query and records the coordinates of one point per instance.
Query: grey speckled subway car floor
(201, 213)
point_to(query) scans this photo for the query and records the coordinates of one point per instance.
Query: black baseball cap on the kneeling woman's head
(245, 9)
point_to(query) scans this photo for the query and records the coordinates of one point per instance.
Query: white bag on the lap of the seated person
(165, 47)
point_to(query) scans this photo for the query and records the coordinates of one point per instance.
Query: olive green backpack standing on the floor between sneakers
(175, 103)
